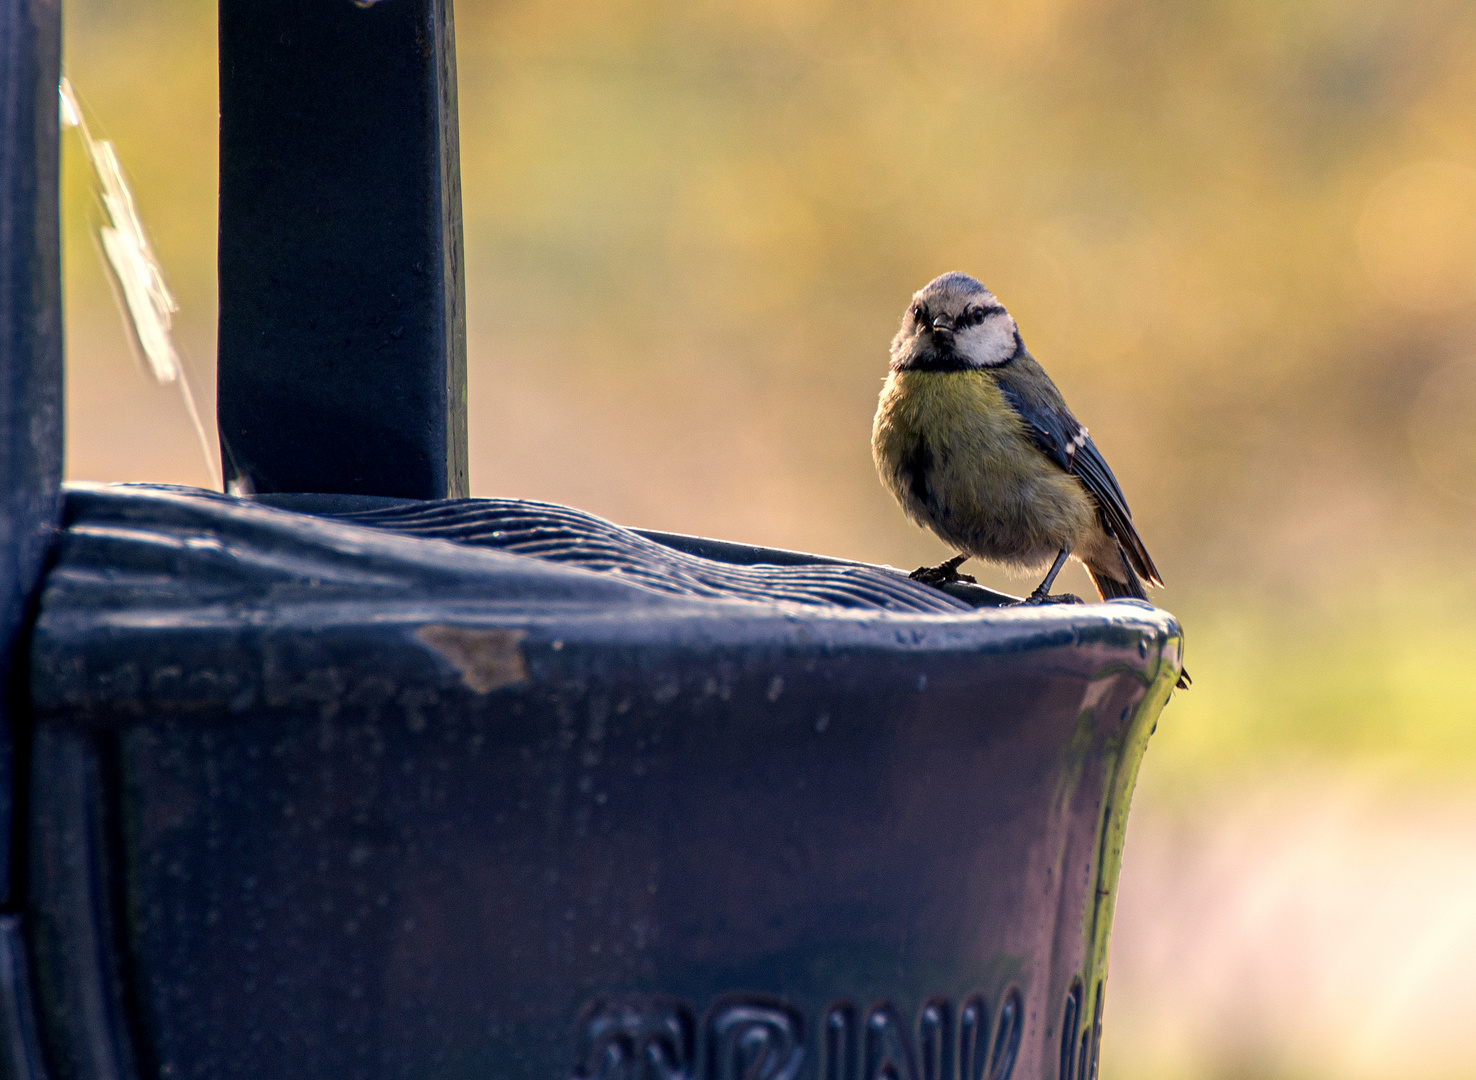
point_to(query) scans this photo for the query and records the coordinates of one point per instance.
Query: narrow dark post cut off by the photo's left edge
(30, 350)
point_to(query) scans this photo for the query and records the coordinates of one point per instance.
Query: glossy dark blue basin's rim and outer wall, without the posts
(374, 805)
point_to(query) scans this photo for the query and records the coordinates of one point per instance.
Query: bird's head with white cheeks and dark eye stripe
(956, 324)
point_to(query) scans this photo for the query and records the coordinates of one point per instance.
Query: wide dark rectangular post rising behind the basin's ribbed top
(343, 345)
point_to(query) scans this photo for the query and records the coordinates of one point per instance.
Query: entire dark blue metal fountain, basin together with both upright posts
(355, 777)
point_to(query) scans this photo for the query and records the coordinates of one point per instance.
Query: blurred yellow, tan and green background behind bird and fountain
(1241, 235)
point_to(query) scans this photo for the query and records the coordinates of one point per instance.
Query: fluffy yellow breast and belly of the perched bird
(963, 464)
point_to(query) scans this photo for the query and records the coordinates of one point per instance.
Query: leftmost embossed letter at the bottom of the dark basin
(638, 1038)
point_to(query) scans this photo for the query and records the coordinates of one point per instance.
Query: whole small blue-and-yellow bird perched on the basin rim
(978, 445)
